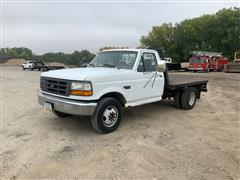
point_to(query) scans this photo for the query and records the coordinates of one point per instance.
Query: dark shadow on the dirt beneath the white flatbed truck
(132, 115)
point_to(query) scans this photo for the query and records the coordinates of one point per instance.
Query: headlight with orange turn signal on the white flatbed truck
(81, 89)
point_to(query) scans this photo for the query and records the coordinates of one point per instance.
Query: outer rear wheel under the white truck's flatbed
(188, 98)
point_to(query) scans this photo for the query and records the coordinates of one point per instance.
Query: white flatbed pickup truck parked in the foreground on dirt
(114, 80)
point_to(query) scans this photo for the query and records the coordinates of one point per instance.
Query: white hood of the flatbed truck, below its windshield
(81, 73)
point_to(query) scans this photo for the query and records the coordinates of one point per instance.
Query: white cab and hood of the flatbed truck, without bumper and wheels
(113, 71)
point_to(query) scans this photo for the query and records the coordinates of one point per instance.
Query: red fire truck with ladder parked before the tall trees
(207, 61)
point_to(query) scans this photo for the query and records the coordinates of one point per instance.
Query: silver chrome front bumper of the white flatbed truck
(68, 106)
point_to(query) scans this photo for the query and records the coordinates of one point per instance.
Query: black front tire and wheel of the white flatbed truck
(107, 115)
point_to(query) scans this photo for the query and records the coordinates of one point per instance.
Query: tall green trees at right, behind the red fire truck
(219, 32)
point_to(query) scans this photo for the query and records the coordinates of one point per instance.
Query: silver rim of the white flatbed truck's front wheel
(110, 116)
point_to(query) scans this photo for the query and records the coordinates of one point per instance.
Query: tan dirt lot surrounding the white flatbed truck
(153, 141)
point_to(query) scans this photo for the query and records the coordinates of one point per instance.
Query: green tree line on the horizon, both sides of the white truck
(219, 32)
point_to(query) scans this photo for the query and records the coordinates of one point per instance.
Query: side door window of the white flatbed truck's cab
(147, 63)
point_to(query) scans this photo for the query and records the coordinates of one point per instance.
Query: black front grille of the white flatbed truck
(55, 86)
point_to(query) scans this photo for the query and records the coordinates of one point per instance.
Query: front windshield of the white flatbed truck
(119, 59)
